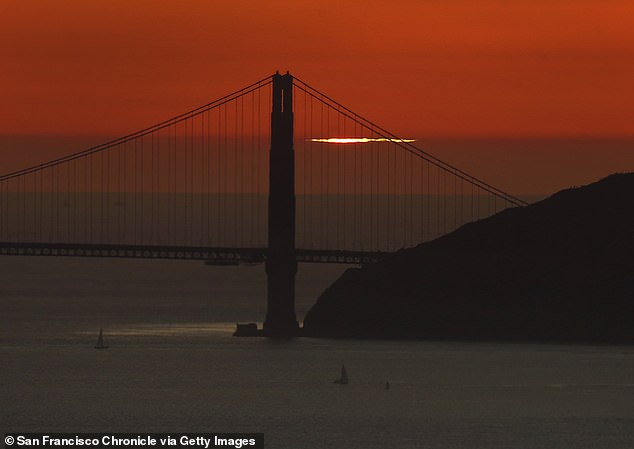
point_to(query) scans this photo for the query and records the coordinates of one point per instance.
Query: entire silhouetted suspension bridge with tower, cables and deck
(276, 172)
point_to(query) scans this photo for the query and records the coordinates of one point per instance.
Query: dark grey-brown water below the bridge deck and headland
(173, 366)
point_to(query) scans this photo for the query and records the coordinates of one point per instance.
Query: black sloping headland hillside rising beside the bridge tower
(558, 270)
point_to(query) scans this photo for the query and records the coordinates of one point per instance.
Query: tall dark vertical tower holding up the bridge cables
(281, 265)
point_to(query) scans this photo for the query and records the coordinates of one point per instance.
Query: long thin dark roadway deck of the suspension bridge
(212, 256)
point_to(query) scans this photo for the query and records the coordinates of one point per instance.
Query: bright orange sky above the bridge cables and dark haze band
(459, 68)
